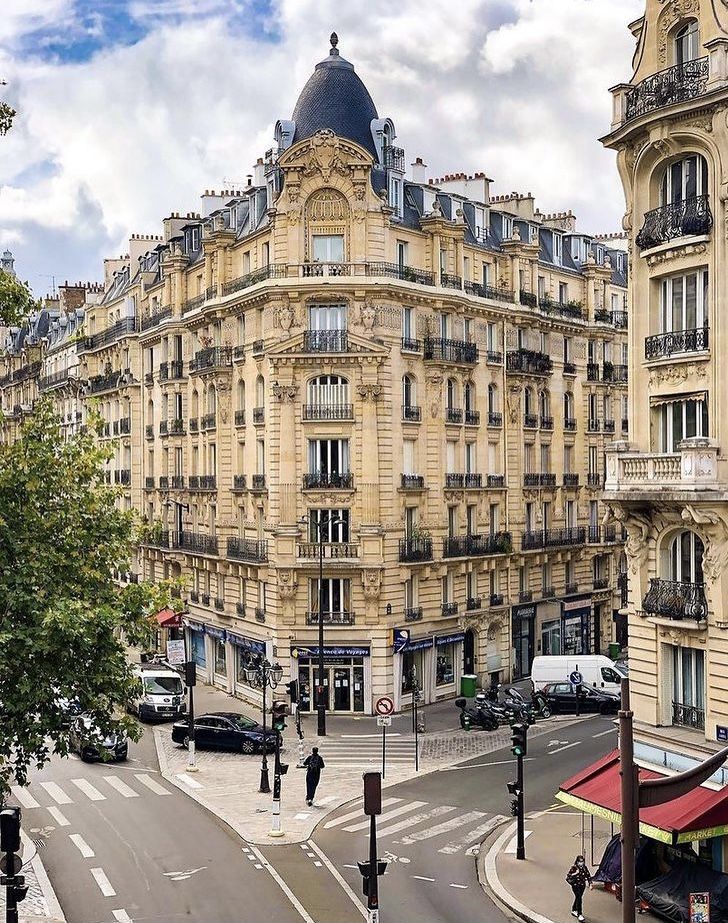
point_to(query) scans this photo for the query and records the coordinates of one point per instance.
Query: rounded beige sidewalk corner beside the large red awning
(553, 839)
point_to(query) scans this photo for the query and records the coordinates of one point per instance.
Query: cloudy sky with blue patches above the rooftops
(129, 109)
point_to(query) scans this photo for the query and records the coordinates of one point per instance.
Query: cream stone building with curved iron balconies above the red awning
(669, 484)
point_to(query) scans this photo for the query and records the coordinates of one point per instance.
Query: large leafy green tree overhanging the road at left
(64, 623)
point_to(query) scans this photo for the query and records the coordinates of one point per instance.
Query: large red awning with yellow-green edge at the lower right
(697, 815)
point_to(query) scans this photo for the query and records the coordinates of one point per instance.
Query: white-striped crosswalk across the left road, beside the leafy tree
(50, 795)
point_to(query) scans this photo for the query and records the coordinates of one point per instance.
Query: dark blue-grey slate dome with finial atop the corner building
(335, 98)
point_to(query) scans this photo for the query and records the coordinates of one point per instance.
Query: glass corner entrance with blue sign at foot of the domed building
(346, 685)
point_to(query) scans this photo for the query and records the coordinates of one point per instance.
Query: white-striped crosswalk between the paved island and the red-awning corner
(406, 823)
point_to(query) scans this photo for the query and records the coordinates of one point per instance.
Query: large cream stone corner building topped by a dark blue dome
(430, 373)
